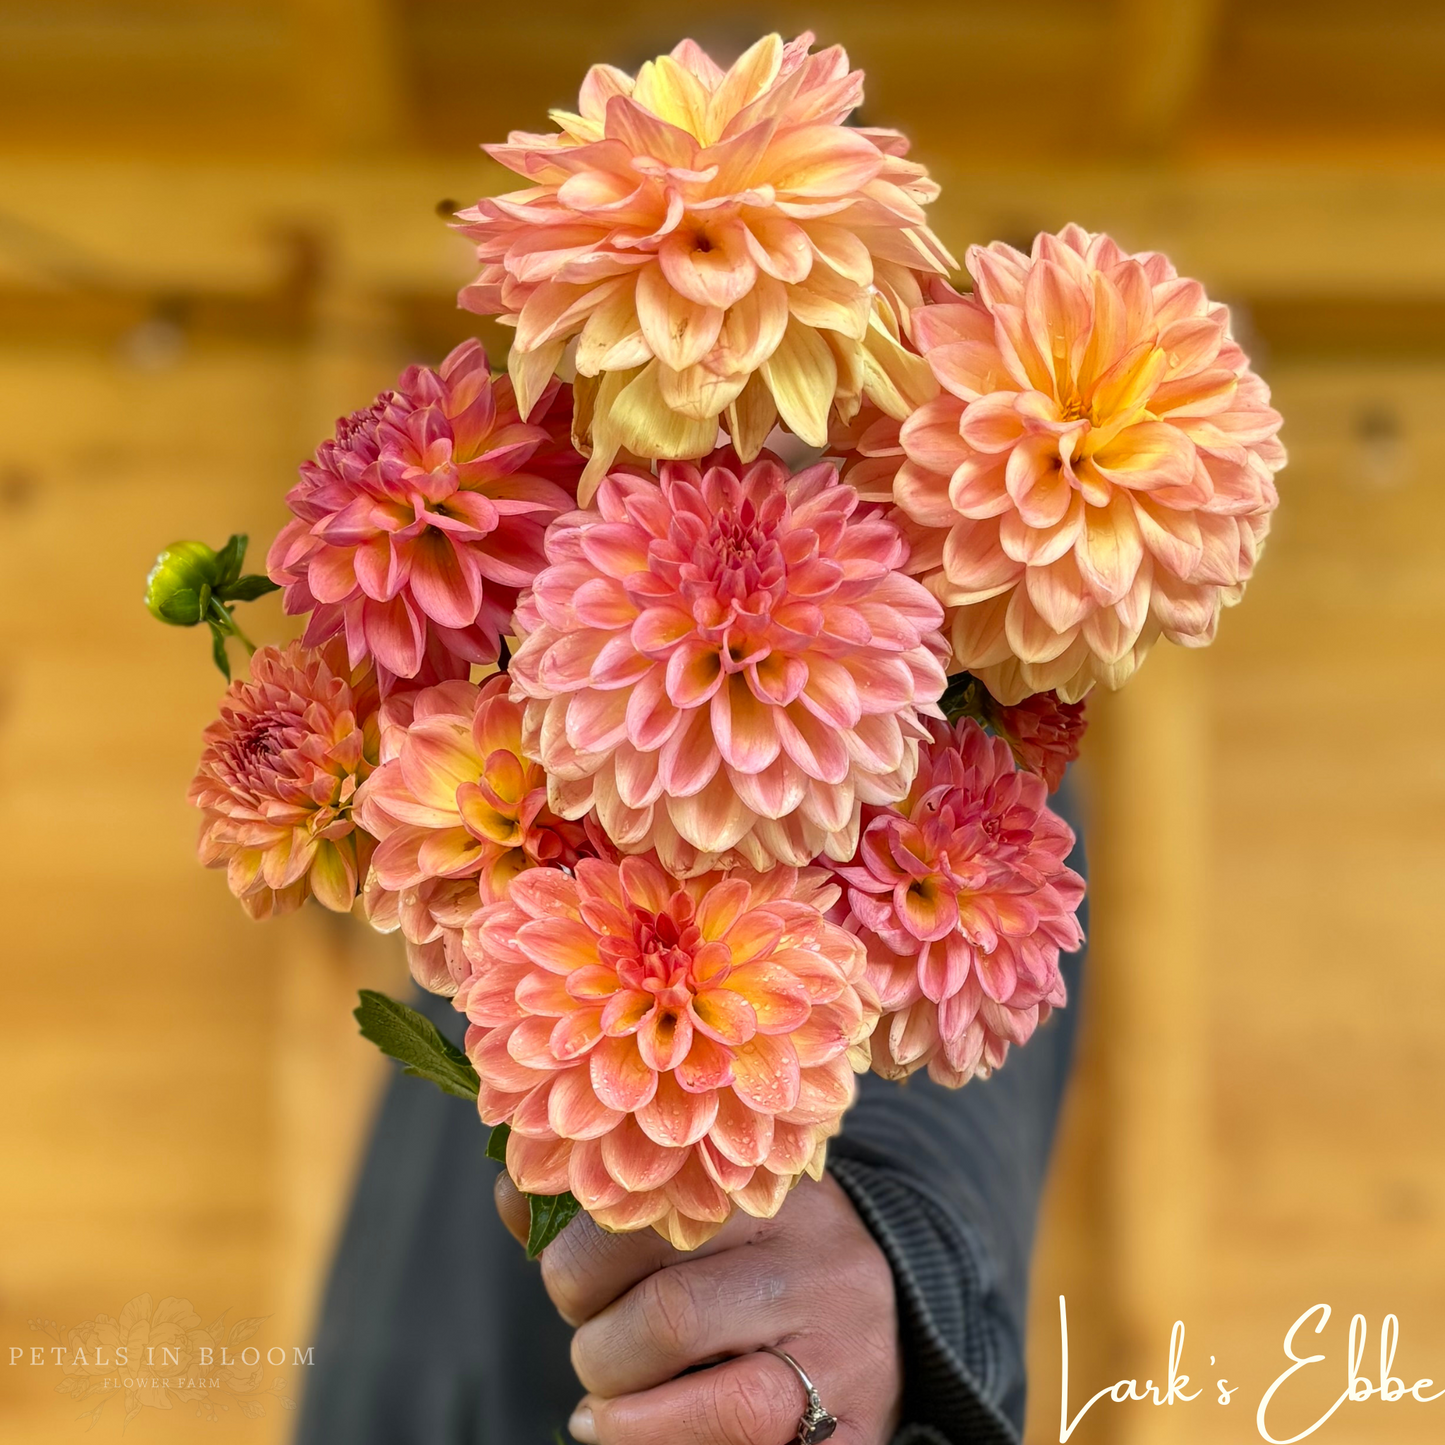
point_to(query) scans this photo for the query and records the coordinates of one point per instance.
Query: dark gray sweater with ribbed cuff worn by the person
(436, 1329)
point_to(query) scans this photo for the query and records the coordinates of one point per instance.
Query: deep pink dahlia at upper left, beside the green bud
(415, 528)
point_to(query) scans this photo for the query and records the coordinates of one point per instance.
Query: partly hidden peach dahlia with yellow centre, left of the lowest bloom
(459, 811)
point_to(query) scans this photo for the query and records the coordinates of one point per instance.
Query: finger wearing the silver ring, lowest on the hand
(754, 1401)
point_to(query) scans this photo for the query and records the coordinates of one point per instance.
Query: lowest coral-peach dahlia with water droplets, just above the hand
(667, 1051)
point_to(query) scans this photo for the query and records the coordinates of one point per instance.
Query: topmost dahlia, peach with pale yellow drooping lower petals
(717, 243)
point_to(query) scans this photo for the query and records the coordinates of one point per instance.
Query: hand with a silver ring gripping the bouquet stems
(811, 1282)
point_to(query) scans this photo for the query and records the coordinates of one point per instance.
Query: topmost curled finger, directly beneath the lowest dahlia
(586, 1268)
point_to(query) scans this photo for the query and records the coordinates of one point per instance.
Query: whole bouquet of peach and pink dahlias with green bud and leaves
(690, 696)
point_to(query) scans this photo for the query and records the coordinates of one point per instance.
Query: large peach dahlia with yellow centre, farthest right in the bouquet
(1099, 470)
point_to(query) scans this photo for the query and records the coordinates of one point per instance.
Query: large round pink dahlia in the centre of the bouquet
(728, 665)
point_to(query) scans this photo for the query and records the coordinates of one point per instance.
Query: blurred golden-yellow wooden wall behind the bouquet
(217, 232)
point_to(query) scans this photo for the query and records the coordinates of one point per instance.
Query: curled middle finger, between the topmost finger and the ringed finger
(684, 1316)
